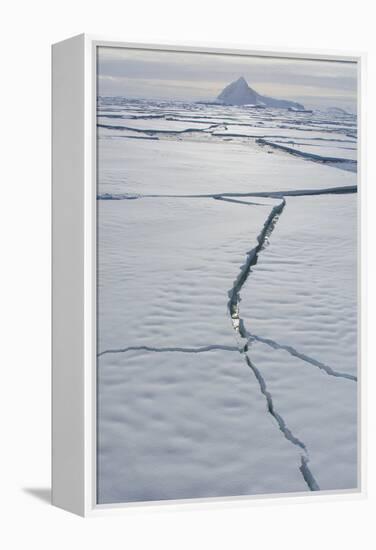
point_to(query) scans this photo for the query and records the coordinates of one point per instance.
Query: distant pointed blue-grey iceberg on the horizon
(240, 93)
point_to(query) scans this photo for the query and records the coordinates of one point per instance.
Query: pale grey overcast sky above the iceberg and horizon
(194, 76)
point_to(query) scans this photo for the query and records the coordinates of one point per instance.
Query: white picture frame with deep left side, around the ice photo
(74, 273)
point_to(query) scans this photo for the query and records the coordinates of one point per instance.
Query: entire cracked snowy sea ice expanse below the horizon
(227, 321)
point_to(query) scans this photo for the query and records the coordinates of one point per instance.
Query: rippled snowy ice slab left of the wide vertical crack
(165, 267)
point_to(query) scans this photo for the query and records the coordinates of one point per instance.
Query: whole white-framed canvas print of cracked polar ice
(206, 275)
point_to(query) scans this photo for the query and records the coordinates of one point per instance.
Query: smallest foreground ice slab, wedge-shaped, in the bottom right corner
(319, 410)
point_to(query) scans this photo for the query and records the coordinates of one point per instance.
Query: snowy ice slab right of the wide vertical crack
(302, 292)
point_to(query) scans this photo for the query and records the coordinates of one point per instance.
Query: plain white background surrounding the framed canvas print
(27, 30)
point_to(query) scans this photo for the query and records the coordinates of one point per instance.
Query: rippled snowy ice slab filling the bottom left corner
(187, 425)
